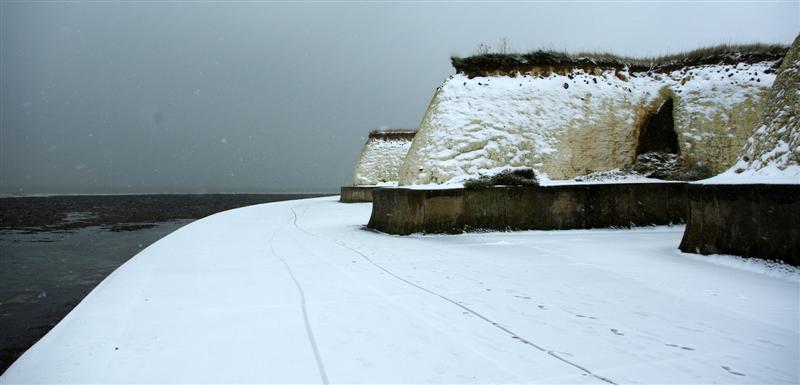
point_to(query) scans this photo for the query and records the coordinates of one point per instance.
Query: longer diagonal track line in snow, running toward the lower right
(454, 302)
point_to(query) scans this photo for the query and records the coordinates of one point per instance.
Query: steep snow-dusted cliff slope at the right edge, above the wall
(772, 154)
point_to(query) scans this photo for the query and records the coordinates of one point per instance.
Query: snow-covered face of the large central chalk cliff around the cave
(566, 125)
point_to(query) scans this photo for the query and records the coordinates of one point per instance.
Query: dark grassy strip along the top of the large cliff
(484, 64)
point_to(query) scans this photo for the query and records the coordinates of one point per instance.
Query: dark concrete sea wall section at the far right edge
(748, 220)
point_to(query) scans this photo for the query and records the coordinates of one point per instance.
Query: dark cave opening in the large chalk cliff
(657, 133)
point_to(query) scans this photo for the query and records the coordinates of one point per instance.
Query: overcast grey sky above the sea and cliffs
(150, 96)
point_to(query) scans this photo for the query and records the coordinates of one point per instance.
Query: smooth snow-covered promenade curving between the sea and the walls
(297, 292)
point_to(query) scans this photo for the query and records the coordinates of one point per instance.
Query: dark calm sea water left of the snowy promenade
(47, 269)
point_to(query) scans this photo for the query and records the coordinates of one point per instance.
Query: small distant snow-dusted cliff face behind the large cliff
(380, 159)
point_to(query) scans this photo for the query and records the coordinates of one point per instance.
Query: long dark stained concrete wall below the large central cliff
(406, 211)
